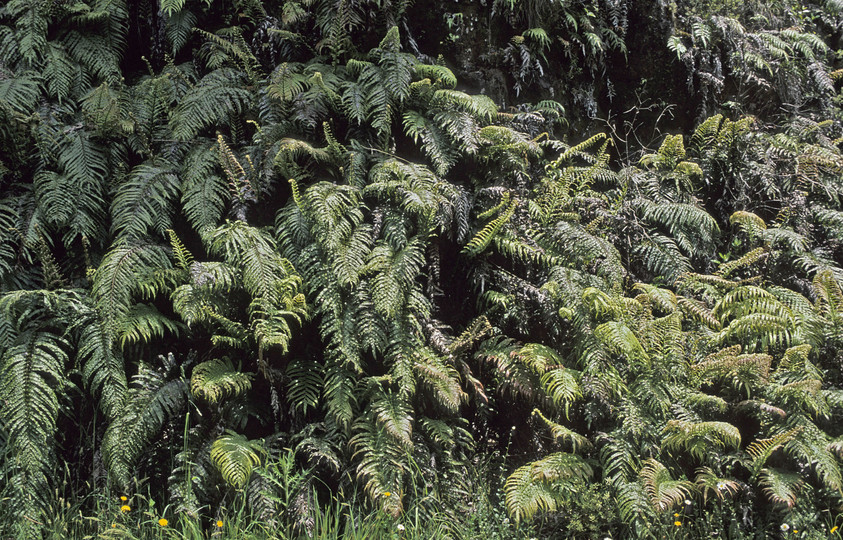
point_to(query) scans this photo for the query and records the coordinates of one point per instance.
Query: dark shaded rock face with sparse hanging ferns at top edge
(599, 61)
